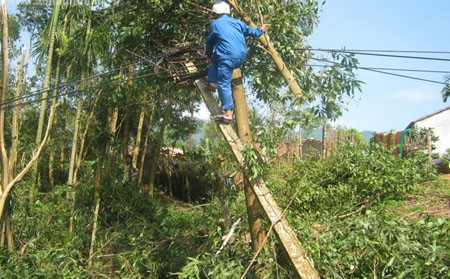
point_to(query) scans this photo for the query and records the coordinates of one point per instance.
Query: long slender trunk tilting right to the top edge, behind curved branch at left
(40, 128)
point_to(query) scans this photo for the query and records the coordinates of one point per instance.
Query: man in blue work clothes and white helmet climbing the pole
(226, 50)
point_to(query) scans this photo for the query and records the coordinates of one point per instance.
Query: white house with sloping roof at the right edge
(439, 121)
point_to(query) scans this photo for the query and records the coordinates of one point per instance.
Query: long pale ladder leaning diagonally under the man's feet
(287, 237)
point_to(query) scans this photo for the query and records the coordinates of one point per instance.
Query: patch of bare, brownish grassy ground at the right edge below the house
(433, 199)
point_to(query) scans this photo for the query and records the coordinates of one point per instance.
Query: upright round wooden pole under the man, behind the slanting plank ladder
(255, 220)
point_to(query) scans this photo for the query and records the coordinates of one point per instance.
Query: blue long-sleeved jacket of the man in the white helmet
(227, 36)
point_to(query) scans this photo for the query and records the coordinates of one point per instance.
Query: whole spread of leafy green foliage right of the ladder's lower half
(340, 210)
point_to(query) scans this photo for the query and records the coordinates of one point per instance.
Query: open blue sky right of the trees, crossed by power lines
(389, 102)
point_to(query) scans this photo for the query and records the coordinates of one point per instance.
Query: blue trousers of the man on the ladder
(220, 72)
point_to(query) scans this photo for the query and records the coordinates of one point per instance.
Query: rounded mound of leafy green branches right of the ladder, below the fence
(356, 176)
